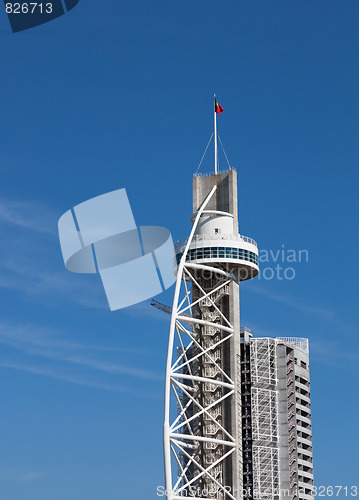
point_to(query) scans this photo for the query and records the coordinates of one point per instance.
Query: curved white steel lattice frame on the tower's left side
(179, 435)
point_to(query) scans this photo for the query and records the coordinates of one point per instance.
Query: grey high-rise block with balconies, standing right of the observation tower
(276, 418)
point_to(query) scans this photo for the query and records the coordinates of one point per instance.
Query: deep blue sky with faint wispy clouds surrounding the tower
(119, 94)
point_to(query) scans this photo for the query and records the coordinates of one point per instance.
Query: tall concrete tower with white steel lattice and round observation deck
(202, 439)
